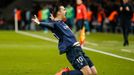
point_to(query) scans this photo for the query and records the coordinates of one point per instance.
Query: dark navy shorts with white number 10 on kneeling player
(77, 58)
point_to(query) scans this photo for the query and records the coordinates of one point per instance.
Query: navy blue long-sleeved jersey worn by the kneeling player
(63, 33)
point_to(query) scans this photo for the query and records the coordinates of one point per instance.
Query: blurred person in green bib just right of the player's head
(70, 16)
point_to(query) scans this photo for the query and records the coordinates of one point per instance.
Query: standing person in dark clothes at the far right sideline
(125, 16)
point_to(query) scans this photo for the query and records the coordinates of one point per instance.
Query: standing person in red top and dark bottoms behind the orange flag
(81, 15)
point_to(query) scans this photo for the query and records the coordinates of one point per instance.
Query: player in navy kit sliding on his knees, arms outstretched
(69, 45)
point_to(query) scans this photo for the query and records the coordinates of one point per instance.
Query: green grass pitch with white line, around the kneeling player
(25, 55)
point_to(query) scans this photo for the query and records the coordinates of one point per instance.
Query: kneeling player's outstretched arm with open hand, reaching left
(49, 25)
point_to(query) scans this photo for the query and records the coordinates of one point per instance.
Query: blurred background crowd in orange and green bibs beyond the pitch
(99, 16)
